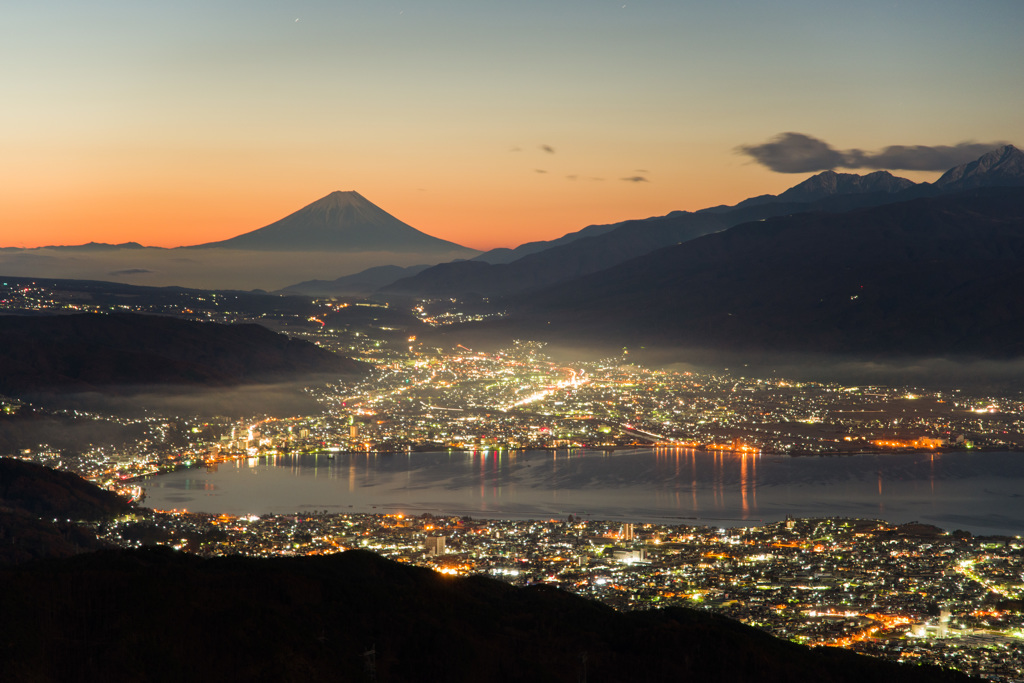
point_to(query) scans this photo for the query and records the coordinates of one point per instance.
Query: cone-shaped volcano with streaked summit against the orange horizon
(342, 222)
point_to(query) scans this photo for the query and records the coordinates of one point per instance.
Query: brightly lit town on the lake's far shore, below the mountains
(520, 400)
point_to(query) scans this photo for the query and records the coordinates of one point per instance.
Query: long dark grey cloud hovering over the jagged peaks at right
(797, 153)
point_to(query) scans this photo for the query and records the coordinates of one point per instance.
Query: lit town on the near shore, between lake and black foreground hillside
(912, 593)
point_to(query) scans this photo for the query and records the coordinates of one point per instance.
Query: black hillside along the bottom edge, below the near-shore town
(160, 616)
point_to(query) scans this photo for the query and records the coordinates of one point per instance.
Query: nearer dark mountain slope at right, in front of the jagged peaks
(934, 276)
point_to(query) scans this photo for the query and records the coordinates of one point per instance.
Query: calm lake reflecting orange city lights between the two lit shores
(983, 493)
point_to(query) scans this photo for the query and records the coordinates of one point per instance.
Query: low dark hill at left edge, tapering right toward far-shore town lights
(109, 353)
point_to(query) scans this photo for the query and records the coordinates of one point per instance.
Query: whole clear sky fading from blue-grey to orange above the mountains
(487, 123)
